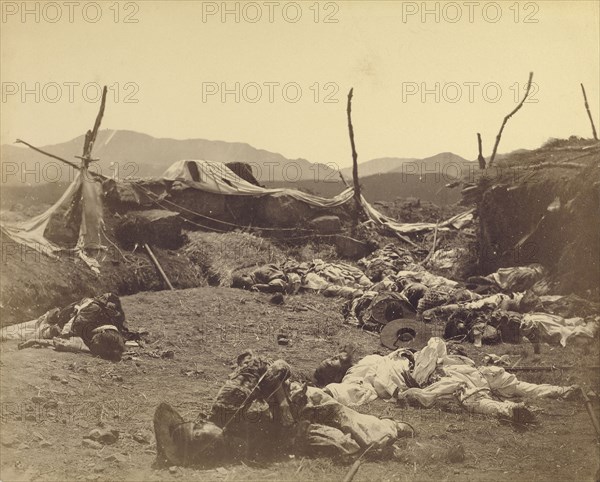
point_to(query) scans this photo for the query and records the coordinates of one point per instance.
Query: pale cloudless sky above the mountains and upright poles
(172, 60)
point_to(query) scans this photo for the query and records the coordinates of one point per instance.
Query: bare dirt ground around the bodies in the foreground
(52, 400)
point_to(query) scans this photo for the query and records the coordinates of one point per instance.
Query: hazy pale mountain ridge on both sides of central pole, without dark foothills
(125, 153)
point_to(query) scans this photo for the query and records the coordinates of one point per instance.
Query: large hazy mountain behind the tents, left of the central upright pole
(141, 155)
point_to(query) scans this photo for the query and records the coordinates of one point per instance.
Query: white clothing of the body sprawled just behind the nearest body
(433, 374)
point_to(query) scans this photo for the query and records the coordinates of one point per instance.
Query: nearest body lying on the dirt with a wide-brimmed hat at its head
(259, 412)
